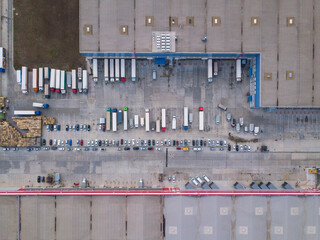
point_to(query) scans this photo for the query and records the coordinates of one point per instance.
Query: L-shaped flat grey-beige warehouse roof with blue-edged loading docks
(283, 48)
